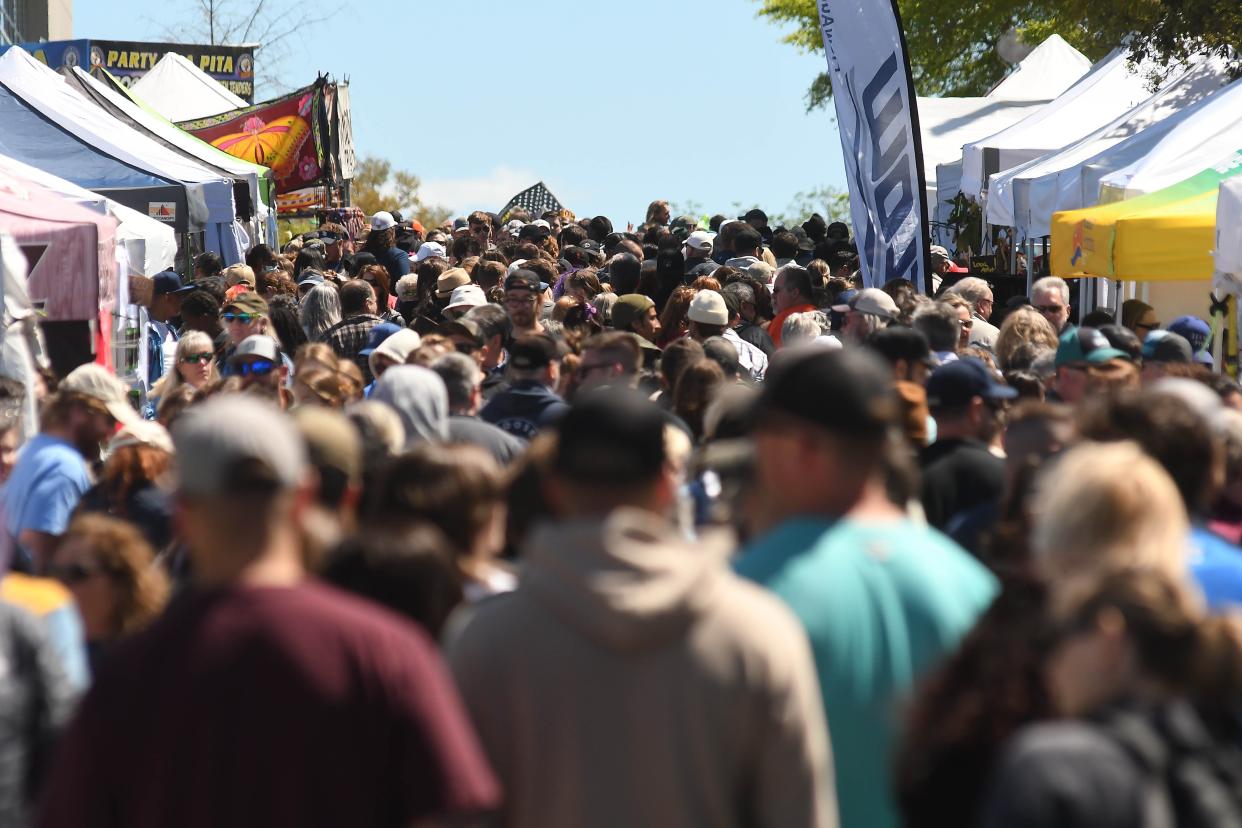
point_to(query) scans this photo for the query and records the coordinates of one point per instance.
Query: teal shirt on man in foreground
(881, 604)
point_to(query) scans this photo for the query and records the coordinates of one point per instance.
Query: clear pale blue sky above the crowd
(612, 106)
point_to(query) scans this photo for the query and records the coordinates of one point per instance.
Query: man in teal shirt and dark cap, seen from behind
(881, 598)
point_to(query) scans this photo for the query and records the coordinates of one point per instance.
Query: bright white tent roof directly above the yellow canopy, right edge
(1204, 138)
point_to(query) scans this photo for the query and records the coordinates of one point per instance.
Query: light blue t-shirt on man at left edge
(45, 487)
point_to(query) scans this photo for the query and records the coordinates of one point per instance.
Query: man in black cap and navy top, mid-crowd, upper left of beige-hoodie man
(530, 403)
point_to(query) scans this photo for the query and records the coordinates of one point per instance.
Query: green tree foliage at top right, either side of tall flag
(953, 45)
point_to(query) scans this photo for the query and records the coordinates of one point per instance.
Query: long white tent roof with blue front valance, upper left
(211, 197)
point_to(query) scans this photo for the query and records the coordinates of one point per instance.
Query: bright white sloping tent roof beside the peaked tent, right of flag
(1110, 90)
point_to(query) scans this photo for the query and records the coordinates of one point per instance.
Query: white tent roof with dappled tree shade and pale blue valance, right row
(1028, 196)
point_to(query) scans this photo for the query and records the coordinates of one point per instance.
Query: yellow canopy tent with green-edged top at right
(1167, 235)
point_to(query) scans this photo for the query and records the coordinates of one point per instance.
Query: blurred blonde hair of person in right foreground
(1107, 507)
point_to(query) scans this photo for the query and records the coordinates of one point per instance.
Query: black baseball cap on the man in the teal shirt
(858, 383)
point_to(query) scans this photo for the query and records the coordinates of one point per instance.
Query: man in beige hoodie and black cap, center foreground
(643, 683)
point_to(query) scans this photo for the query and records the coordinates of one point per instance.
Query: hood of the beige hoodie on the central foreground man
(628, 582)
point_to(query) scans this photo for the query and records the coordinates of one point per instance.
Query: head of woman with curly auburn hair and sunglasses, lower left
(112, 574)
